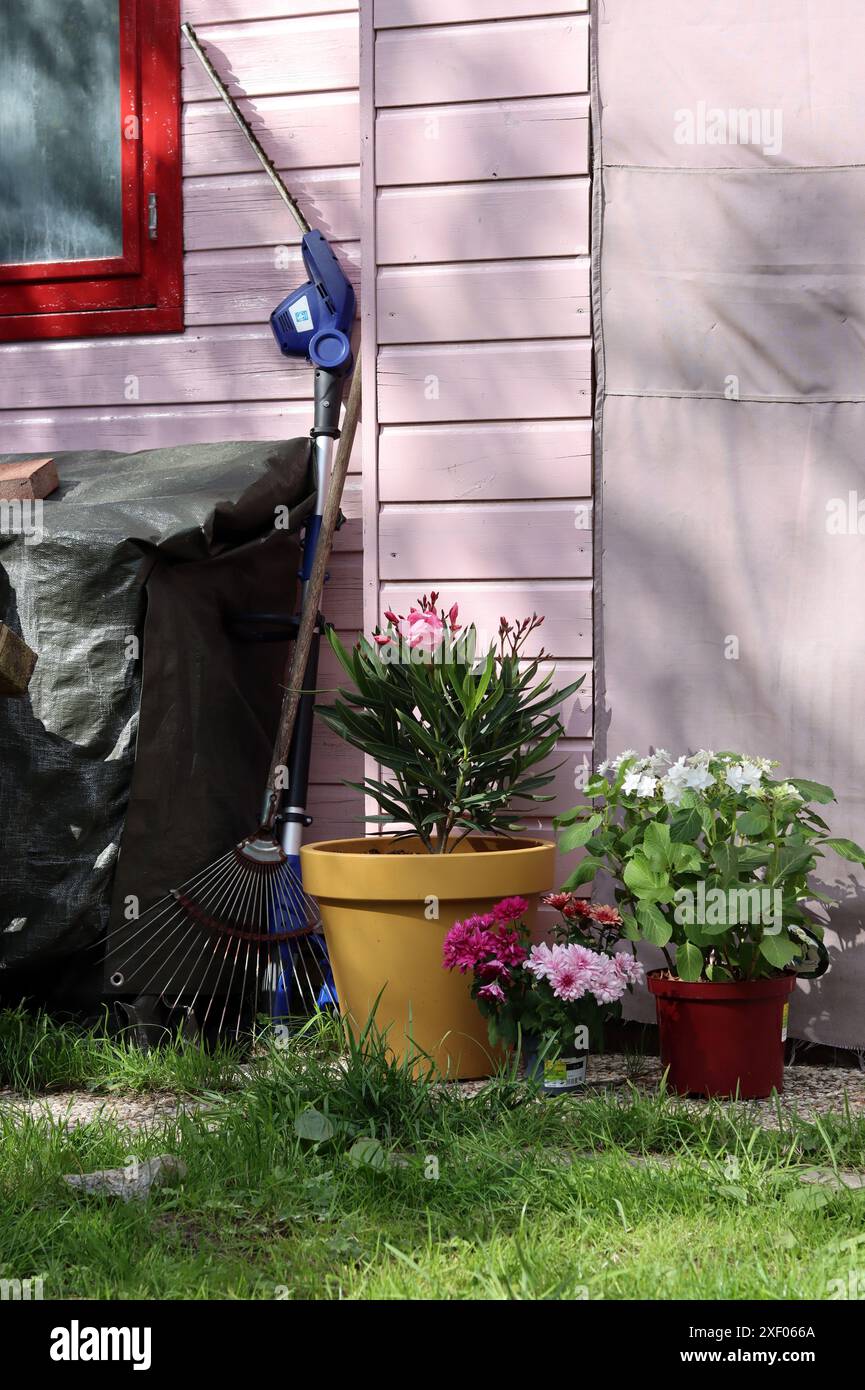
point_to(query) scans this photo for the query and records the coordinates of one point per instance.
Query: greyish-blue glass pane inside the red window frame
(60, 176)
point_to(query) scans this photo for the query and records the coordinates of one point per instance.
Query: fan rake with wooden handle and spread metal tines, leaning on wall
(243, 931)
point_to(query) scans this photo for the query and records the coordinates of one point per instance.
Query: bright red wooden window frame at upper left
(141, 291)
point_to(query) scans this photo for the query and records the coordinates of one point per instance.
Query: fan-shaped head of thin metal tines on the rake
(241, 932)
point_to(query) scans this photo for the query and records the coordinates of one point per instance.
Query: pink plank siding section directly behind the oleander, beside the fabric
(476, 280)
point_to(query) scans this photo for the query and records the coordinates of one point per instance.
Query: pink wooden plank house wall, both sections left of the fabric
(443, 147)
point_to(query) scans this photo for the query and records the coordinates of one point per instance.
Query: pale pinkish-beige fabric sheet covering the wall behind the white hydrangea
(729, 295)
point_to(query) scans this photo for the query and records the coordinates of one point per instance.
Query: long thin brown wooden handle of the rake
(312, 603)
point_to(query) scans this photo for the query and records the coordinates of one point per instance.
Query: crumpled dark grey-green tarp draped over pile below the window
(145, 721)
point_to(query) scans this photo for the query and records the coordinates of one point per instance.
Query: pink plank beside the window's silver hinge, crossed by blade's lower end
(245, 211)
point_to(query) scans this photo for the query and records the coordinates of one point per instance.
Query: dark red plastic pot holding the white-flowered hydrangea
(722, 1039)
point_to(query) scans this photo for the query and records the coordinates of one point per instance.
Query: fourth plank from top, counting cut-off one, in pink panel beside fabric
(483, 222)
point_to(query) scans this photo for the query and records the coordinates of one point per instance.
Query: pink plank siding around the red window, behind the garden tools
(294, 67)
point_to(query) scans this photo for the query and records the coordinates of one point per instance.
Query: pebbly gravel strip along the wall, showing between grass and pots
(809, 1092)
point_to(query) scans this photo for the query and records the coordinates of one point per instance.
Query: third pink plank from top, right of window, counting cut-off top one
(297, 131)
